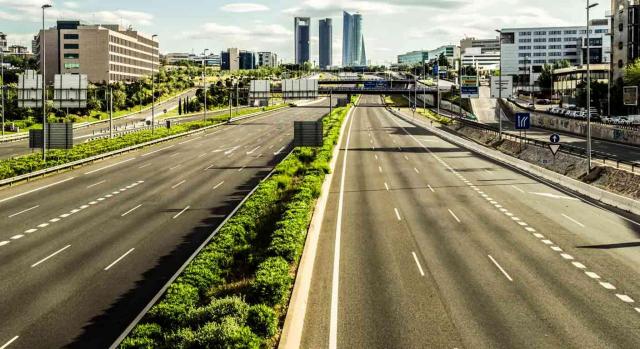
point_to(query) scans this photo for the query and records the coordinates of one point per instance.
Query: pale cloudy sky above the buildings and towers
(391, 27)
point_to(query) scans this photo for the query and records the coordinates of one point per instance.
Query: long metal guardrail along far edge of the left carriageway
(92, 159)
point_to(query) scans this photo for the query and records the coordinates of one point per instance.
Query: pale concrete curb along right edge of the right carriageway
(595, 193)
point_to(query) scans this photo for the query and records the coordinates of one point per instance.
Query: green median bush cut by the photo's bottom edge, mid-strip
(226, 334)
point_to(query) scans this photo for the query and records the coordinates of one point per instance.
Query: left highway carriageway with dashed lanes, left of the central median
(84, 251)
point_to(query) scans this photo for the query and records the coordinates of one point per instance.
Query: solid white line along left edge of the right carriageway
(333, 320)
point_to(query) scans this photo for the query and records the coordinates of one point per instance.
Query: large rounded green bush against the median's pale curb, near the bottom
(272, 281)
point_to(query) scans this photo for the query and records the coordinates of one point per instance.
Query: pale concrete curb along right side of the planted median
(291, 336)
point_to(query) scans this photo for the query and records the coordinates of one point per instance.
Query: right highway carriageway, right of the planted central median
(427, 245)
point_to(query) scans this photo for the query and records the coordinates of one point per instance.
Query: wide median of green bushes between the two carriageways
(235, 292)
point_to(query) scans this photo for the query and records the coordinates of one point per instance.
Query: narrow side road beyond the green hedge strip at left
(18, 148)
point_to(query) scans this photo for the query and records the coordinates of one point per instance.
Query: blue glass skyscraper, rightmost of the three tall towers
(353, 48)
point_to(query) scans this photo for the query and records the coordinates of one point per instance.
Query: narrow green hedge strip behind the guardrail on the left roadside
(33, 162)
